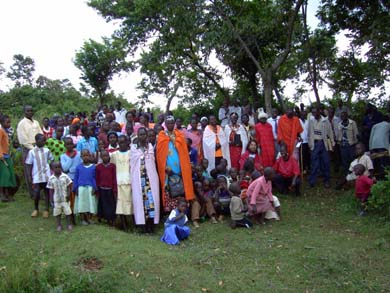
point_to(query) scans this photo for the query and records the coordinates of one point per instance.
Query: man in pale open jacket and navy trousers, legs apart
(321, 141)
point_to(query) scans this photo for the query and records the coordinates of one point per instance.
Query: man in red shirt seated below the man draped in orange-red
(287, 173)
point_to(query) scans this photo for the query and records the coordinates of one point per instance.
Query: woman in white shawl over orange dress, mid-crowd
(215, 144)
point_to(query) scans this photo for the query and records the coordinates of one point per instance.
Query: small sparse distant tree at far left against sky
(21, 71)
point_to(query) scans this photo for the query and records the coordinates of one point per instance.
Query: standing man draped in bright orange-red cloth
(289, 130)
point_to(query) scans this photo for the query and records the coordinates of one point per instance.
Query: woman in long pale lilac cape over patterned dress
(144, 179)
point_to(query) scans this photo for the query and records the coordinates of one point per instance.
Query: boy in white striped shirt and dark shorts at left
(38, 160)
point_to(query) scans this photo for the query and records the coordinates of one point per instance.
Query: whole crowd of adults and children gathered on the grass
(126, 166)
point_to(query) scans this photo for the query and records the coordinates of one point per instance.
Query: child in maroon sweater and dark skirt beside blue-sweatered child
(107, 188)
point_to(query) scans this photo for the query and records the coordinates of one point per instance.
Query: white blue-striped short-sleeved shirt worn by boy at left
(39, 158)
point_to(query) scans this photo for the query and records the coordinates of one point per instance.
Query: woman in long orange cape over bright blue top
(173, 165)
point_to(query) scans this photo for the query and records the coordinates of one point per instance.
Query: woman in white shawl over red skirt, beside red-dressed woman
(238, 140)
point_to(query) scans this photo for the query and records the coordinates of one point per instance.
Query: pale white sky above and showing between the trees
(51, 31)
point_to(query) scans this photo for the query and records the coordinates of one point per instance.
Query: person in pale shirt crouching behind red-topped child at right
(361, 158)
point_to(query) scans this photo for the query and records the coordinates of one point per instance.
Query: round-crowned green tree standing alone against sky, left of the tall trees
(98, 63)
